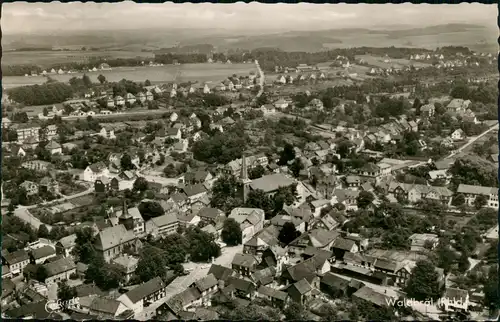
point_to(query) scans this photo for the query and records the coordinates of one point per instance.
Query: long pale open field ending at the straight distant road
(157, 74)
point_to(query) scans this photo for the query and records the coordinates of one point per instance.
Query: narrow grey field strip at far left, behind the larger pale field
(47, 58)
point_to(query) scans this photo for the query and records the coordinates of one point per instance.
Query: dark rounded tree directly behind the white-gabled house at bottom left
(152, 263)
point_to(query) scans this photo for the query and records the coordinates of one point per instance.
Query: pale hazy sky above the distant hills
(22, 17)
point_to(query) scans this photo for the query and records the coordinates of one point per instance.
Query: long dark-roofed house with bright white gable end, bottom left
(141, 296)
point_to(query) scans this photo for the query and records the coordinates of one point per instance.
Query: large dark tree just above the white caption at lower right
(424, 284)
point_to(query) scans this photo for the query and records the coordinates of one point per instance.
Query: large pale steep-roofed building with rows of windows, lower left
(113, 241)
